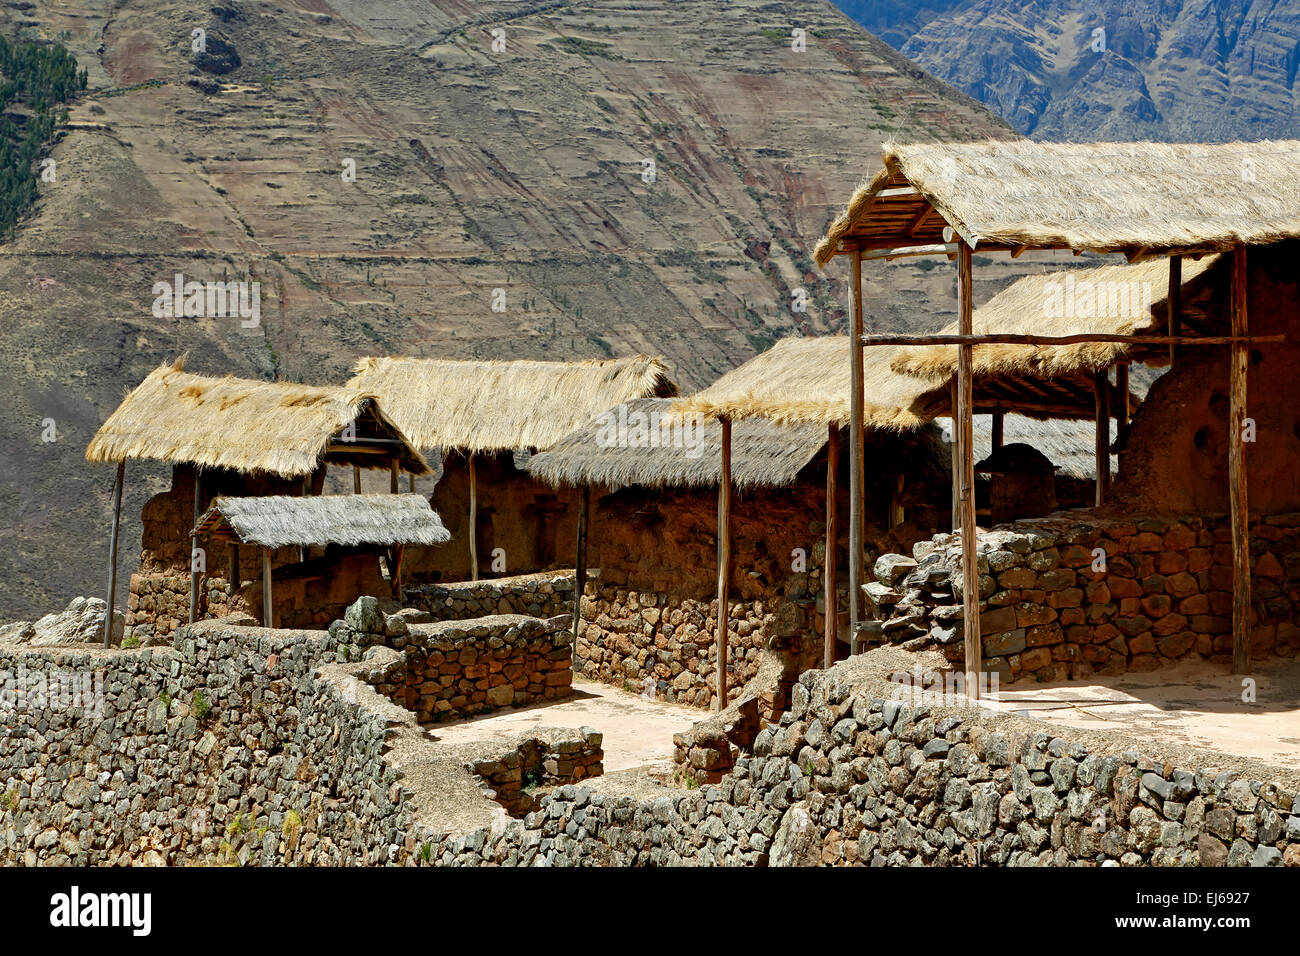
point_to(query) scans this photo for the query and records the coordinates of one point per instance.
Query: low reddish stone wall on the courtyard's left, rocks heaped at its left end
(462, 668)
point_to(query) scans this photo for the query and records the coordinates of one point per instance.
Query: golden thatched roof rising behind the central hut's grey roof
(804, 382)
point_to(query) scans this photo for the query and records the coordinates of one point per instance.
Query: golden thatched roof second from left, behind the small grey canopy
(501, 406)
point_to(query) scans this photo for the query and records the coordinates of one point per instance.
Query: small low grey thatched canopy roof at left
(339, 520)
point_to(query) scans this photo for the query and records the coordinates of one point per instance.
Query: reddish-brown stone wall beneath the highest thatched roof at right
(1047, 611)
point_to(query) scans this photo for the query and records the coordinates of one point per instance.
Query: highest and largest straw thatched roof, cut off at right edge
(1134, 198)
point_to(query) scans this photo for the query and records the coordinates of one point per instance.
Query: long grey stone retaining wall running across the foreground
(271, 747)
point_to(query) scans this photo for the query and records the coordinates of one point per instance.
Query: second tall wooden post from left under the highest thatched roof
(967, 436)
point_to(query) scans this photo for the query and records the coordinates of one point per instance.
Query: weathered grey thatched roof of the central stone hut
(625, 448)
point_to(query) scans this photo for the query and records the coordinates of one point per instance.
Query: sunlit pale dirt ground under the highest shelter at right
(1195, 704)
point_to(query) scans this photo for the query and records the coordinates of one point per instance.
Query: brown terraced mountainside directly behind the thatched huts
(383, 168)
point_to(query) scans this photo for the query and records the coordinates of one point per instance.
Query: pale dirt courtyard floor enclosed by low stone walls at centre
(638, 730)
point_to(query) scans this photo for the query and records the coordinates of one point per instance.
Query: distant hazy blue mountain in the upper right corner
(1111, 70)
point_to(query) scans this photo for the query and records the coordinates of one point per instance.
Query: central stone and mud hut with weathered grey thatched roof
(655, 469)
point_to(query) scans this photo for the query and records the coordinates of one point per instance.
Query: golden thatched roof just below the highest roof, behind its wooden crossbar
(1115, 300)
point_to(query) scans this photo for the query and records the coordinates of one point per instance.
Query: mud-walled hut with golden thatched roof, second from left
(483, 421)
